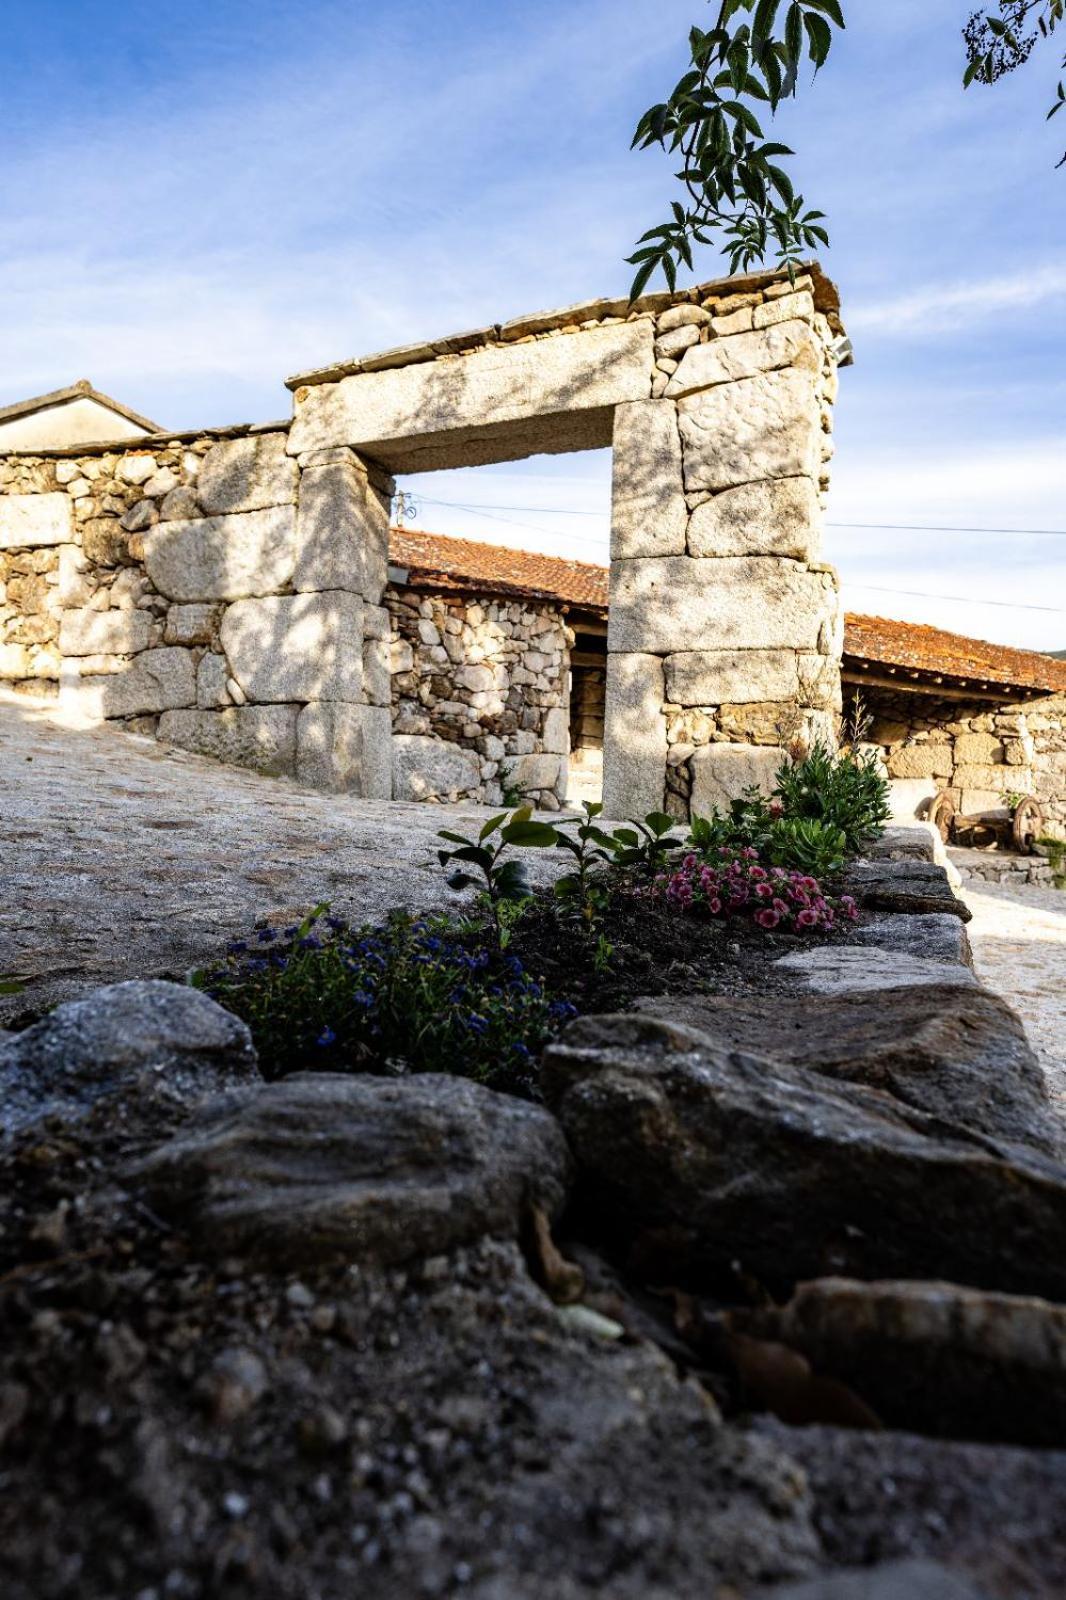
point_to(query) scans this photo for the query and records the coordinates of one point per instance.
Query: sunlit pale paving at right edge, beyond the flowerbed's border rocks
(1019, 937)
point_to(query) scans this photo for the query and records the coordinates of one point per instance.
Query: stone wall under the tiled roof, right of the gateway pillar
(976, 753)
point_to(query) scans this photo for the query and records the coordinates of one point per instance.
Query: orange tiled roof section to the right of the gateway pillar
(934, 650)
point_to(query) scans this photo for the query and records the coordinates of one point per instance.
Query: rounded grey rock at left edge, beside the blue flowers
(138, 1042)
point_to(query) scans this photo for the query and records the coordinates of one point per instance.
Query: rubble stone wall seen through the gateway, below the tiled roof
(479, 698)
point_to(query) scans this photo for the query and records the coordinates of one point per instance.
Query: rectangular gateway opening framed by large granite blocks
(497, 572)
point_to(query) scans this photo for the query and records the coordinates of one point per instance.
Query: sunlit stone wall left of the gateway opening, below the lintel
(212, 591)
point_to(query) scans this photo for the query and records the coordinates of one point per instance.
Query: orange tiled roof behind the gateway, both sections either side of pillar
(465, 564)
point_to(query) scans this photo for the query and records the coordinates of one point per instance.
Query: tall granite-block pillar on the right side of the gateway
(726, 628)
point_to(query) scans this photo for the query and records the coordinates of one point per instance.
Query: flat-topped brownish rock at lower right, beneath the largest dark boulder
(934, 1358)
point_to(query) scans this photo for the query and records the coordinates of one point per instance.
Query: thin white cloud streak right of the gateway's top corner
(944, 308)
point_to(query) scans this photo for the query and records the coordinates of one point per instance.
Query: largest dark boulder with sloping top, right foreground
(731, 1158)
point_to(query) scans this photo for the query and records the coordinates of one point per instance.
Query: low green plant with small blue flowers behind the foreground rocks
(409, 994)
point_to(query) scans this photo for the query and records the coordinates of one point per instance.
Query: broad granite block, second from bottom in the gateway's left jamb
(297, 647)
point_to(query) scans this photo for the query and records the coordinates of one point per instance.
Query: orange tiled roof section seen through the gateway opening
(465, 564)
